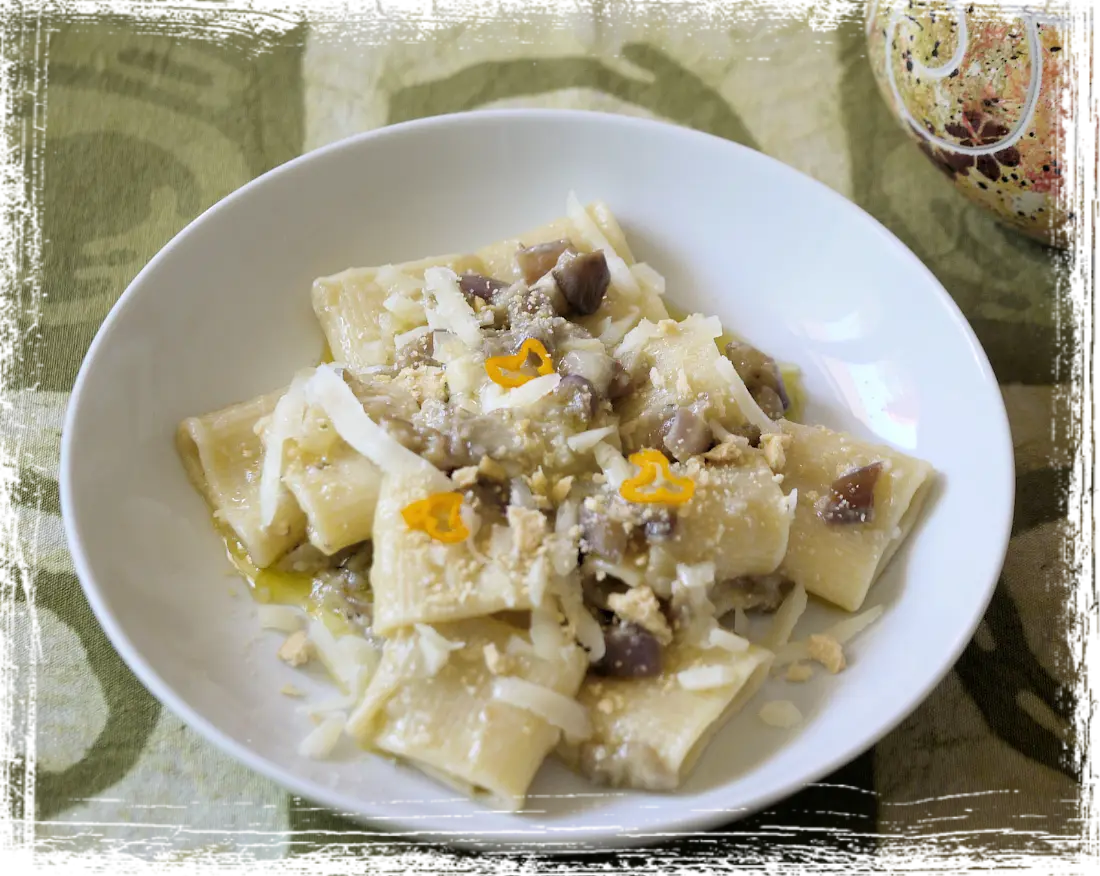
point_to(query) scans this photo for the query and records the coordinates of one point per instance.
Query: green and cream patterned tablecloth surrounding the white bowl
(120, 121)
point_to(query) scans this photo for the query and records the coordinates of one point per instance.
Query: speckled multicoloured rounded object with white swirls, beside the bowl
(1005, 98)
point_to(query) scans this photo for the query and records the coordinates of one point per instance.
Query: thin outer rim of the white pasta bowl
(509, 839)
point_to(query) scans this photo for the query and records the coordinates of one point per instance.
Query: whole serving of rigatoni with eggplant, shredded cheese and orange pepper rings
(525, 510)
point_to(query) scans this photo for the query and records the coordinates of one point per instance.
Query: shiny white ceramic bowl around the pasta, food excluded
(223, 314)
